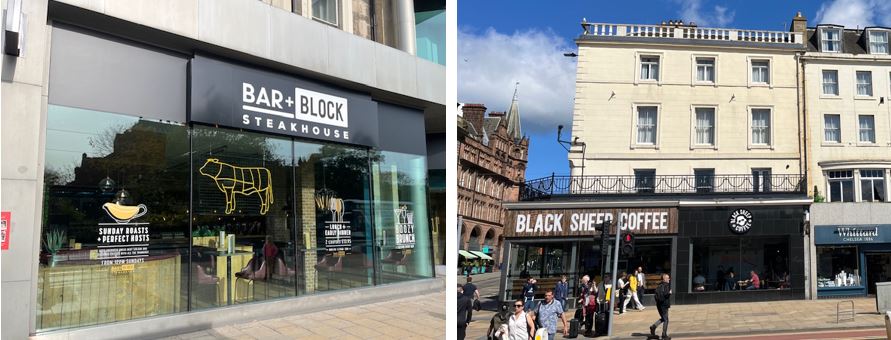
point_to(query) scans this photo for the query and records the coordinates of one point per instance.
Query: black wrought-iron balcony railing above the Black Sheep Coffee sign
(547, 187)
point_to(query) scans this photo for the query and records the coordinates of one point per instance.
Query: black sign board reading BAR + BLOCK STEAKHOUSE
(236, 96)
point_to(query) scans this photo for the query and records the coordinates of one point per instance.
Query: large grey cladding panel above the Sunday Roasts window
(91, 71)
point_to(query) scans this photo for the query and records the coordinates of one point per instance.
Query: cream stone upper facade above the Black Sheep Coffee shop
(676, 99)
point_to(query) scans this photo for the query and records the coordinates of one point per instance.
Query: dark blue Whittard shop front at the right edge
(852, 258)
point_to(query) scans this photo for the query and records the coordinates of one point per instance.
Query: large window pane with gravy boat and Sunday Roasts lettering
(115, 233)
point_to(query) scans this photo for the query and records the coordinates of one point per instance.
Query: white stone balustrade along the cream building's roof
(695, 33)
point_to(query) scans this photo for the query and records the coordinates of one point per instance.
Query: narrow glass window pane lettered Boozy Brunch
(399, 182)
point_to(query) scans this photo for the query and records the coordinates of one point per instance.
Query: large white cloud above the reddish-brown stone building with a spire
(490, 63)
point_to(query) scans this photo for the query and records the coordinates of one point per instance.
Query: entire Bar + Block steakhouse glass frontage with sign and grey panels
(216, 183)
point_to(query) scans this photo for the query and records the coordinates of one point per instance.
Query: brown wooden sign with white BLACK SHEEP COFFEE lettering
(583, 222)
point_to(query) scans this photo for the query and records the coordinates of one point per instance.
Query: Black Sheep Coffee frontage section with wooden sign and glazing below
(548, 243)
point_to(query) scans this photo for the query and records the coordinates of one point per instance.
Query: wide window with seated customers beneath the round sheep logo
(739, 264)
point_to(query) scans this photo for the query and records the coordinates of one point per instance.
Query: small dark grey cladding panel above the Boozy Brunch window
(401, 129)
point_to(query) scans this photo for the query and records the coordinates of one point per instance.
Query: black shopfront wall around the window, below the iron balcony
(708, 224)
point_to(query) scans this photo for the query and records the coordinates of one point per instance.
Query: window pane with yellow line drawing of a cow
(243, 245)
